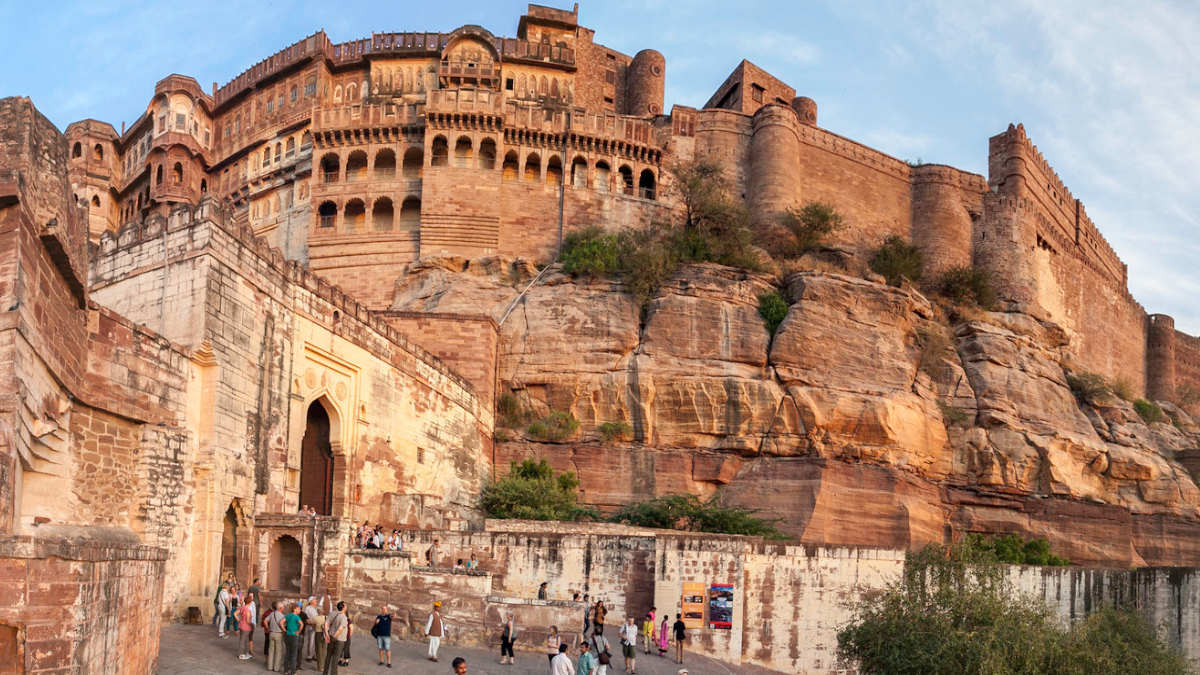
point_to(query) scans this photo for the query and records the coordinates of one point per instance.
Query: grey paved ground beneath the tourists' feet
(189, 650)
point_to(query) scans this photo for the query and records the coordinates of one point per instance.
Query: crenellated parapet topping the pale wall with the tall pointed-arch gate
(153, 230)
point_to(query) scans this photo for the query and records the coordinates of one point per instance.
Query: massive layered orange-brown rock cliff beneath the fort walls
(865, 421)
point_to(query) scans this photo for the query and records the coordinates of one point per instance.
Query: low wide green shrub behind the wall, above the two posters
(689, 513)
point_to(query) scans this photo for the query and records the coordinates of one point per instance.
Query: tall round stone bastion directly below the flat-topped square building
(775, 162)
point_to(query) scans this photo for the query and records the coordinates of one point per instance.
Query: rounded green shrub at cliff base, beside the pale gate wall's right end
(532, 492)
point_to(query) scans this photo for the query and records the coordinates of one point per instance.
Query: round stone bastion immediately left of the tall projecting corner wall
(941, 225)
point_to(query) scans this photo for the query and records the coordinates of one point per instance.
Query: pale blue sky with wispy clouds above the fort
(1111, 92)
